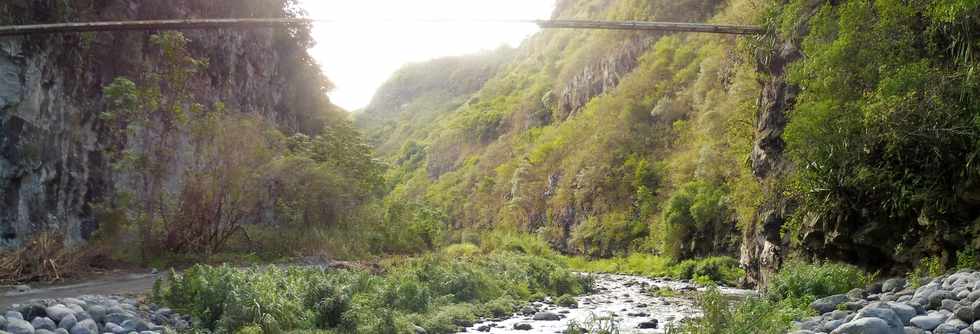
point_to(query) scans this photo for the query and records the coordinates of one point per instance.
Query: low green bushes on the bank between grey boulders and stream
(438, 293)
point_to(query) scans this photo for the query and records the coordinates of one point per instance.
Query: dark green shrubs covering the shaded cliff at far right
(886, 128)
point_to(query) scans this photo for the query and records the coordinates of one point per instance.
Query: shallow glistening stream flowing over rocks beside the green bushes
(623, 298)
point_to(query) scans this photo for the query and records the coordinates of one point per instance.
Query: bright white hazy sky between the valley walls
(358, 58)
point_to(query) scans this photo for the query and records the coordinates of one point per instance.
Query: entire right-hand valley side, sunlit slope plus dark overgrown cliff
(847, 133)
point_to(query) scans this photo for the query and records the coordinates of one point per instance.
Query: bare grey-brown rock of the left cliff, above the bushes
(53, 166)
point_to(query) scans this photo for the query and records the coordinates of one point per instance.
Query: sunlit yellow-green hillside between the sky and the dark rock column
(589, 138)
